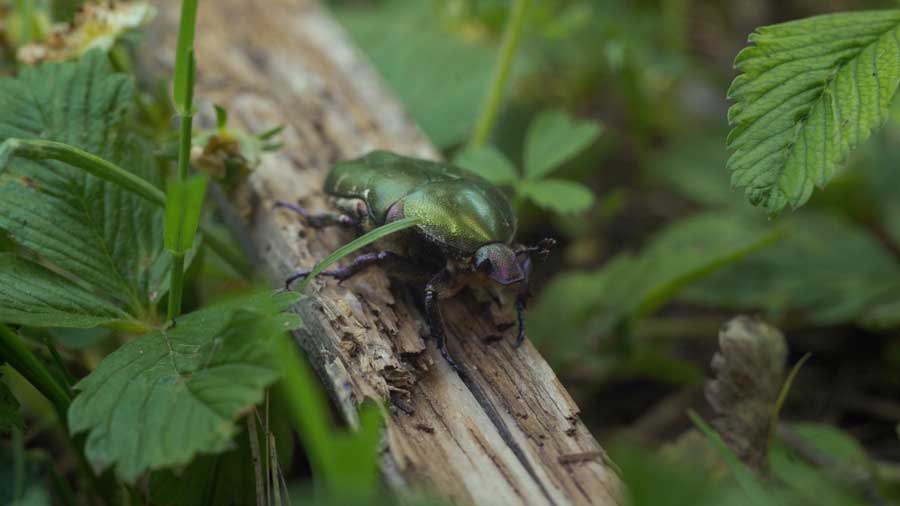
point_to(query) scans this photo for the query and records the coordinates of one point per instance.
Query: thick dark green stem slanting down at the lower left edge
(14, 351)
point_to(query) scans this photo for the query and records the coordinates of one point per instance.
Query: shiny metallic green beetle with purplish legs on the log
(465, 235)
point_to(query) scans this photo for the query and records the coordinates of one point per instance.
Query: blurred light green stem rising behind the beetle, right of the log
(514, 28)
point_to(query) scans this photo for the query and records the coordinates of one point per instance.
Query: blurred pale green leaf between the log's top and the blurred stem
(439, 76)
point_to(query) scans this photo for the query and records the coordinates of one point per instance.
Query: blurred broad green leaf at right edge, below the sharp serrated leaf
(826, 268)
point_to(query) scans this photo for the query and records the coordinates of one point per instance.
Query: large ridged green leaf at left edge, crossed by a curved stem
(101, 234)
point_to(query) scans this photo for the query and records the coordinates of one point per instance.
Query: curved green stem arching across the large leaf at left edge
(36, 150)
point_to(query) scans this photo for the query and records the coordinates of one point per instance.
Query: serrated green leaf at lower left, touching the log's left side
(164, 397)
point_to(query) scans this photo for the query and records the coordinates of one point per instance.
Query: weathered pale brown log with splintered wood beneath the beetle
(508, 435)
